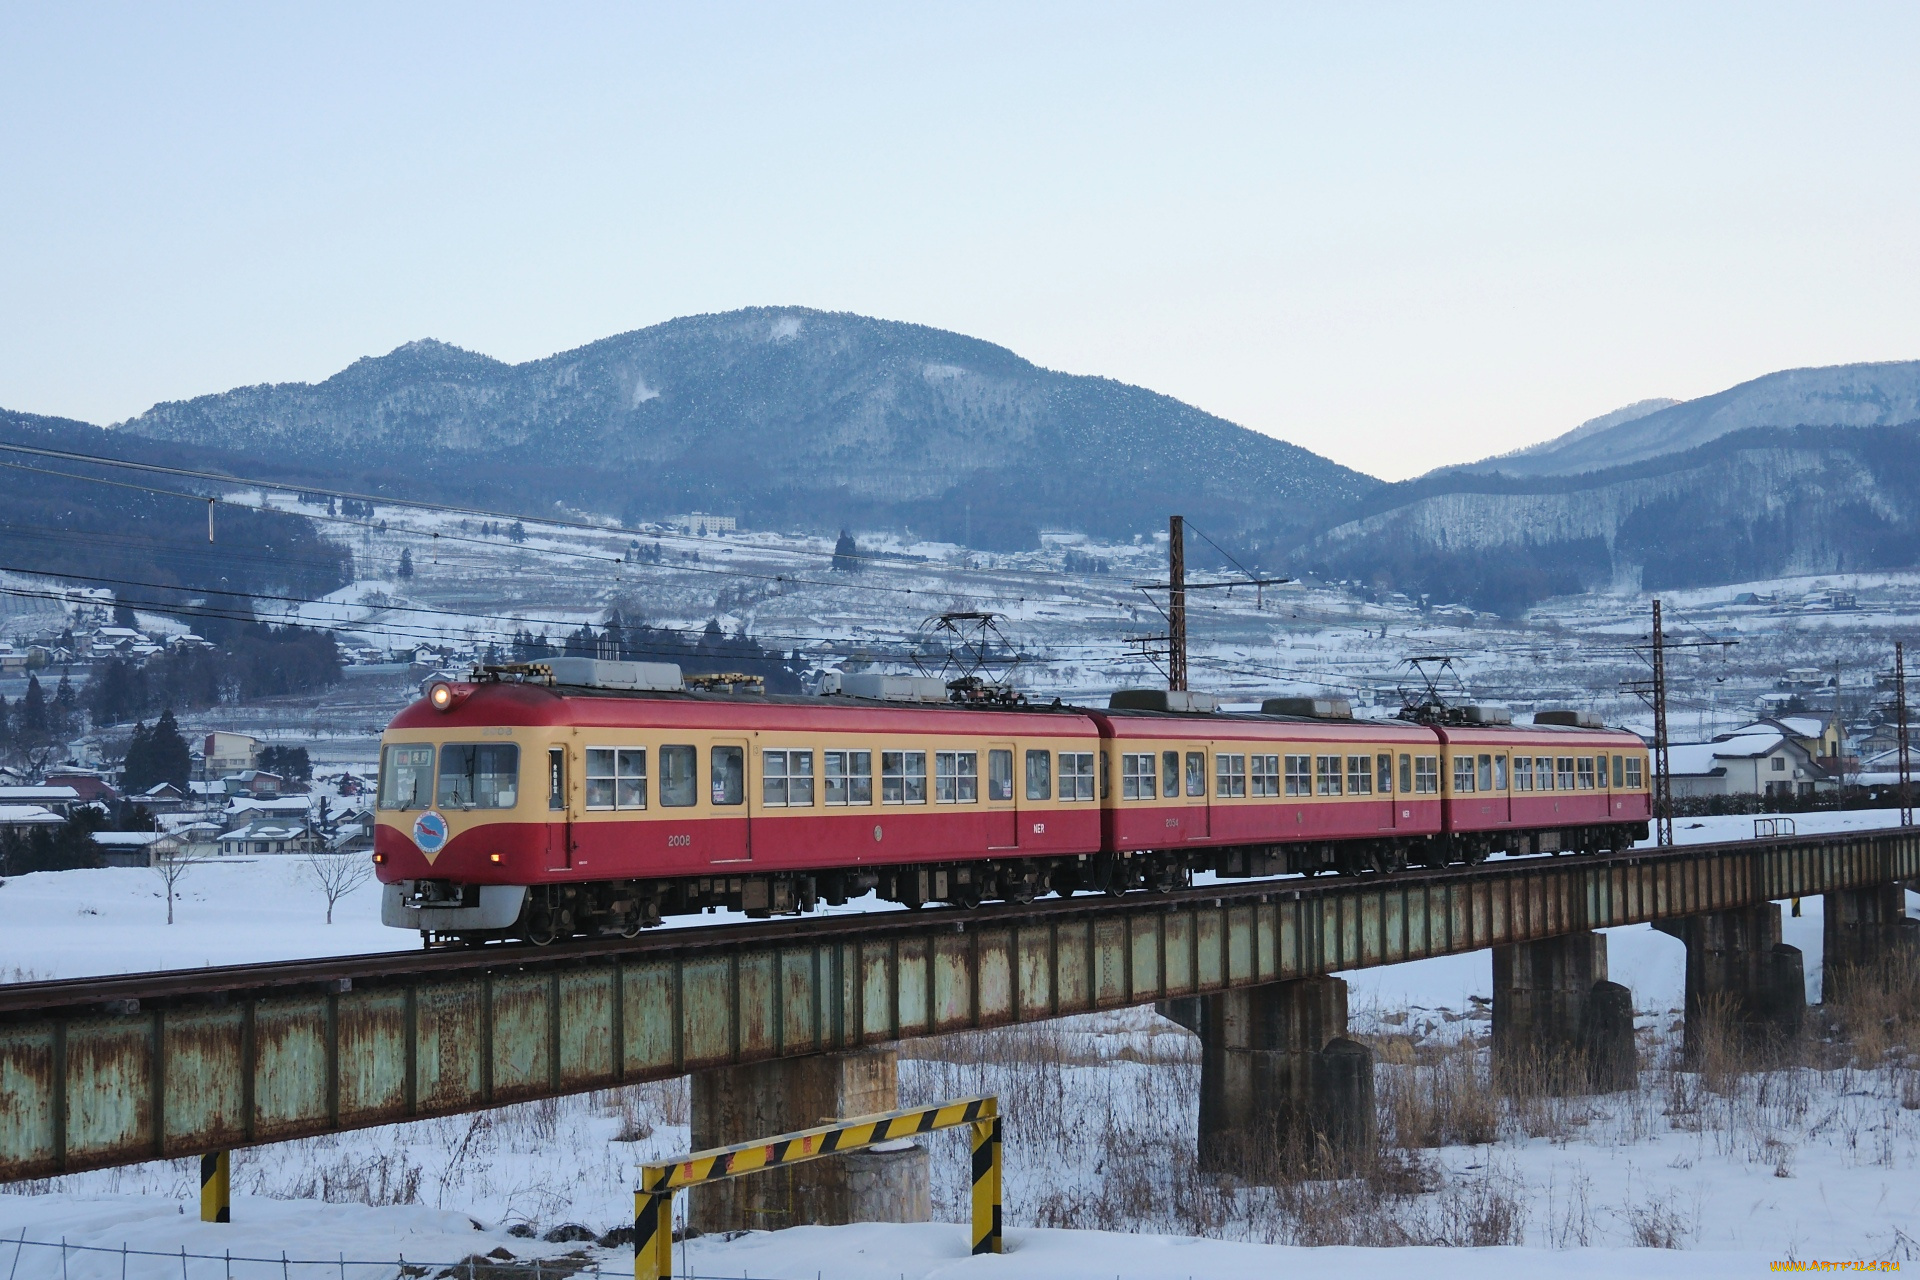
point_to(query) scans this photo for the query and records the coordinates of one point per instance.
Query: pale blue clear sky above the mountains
(1395, 235)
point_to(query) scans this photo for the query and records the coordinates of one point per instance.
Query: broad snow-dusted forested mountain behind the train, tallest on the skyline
(782, 417)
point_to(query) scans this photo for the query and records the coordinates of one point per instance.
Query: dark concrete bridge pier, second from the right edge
(1739, 964)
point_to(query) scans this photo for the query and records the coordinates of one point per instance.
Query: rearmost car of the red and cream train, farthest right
(1564, 784)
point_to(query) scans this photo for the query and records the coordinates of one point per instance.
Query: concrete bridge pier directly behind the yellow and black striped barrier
(740, 1104)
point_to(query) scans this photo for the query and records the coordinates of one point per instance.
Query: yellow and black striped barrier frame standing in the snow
(654, 1200)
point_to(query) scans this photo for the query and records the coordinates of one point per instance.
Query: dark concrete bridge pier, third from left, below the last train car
(1560, 1026)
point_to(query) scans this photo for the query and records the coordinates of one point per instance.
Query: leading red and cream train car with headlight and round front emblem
(596, 797)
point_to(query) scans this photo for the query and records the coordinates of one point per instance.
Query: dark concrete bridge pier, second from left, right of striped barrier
(1282, 1085)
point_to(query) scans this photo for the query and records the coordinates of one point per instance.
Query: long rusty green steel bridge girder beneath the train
(124, 1070)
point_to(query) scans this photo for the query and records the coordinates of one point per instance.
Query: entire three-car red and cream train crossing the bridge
(598, 797)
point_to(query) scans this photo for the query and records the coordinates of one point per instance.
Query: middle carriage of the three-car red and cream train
(1299, 788)
